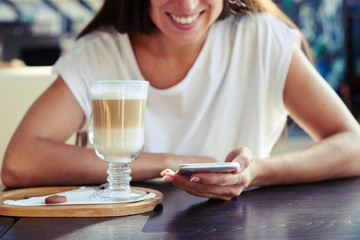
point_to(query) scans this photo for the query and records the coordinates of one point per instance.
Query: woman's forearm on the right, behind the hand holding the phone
(335, 157)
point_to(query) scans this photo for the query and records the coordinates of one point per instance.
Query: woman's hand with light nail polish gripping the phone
(223, 186)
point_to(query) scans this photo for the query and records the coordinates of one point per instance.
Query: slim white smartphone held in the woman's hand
(225, 167)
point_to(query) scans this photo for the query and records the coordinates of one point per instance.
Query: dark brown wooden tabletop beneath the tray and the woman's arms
(326, 210)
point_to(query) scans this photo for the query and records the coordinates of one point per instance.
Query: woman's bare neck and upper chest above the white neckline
(162, 62)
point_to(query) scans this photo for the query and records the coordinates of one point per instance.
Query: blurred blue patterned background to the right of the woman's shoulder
(332, 28)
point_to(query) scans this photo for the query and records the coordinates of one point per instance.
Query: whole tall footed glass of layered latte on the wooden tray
(117, 132)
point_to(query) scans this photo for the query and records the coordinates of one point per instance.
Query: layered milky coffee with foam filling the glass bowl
(118, 125)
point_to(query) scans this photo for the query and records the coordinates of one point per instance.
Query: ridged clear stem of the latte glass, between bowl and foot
(119, 177)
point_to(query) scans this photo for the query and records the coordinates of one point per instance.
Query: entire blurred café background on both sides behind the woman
(34, 33)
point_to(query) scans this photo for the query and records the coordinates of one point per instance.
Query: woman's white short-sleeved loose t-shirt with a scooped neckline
(232, 96)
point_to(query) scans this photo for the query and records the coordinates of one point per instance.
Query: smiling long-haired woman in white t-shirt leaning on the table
(222, 87)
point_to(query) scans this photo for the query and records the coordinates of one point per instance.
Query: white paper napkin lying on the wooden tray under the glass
(82, 195)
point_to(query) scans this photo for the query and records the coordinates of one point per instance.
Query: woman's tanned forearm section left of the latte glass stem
(45, 162)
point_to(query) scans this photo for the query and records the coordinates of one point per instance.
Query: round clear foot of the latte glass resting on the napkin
(119, 195)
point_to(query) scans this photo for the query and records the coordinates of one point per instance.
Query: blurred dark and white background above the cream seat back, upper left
(38, 31)
